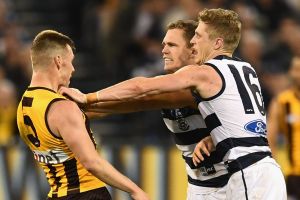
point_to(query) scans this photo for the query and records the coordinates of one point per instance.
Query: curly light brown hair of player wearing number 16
(222, 23)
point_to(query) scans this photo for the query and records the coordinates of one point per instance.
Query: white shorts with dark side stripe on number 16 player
(264, 181)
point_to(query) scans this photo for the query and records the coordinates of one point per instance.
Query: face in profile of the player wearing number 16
(202, 44)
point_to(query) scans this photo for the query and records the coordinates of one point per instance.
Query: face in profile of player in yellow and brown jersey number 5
(67, 68)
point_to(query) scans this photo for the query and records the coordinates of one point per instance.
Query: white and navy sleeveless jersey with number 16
(236, 115)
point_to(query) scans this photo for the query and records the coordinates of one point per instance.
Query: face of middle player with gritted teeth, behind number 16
(176, 52)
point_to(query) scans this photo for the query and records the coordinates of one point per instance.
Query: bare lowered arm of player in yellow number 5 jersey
(71, 127)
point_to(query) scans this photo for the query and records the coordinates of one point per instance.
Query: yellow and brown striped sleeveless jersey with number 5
(64, 172)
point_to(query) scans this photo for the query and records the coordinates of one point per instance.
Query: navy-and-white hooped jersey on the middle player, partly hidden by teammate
(188, 128)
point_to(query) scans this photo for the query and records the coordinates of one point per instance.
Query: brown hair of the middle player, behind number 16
(188, 27)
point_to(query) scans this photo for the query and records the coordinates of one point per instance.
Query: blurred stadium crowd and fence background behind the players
(116, 40)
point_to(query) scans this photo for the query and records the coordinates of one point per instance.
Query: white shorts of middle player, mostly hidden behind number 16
(205, 193)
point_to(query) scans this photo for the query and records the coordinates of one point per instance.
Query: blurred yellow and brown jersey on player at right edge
(289, 122)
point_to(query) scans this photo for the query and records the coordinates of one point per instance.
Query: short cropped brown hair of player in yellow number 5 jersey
(46, 43)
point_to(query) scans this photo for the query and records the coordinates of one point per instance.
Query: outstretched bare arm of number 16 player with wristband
(204, 79)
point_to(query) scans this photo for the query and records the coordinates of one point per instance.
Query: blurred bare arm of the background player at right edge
(273, 126)
